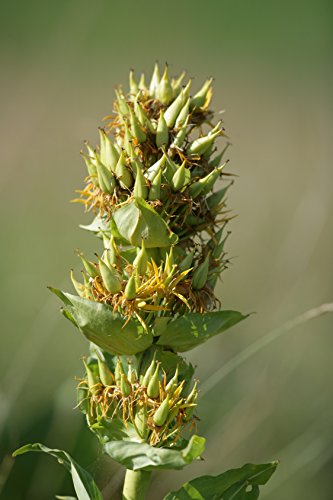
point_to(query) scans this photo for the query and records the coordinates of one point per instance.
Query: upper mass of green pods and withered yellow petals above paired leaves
(153, 181)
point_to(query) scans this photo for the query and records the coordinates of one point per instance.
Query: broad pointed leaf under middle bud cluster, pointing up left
(100, 325)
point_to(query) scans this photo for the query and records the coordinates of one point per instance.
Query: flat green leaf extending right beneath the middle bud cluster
(188, 331)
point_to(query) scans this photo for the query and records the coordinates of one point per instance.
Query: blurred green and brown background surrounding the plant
(272, 65)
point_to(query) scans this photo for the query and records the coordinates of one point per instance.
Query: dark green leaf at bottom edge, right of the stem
(235, 484)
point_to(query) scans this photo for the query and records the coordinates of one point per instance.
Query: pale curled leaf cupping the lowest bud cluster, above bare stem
(137, 456)
